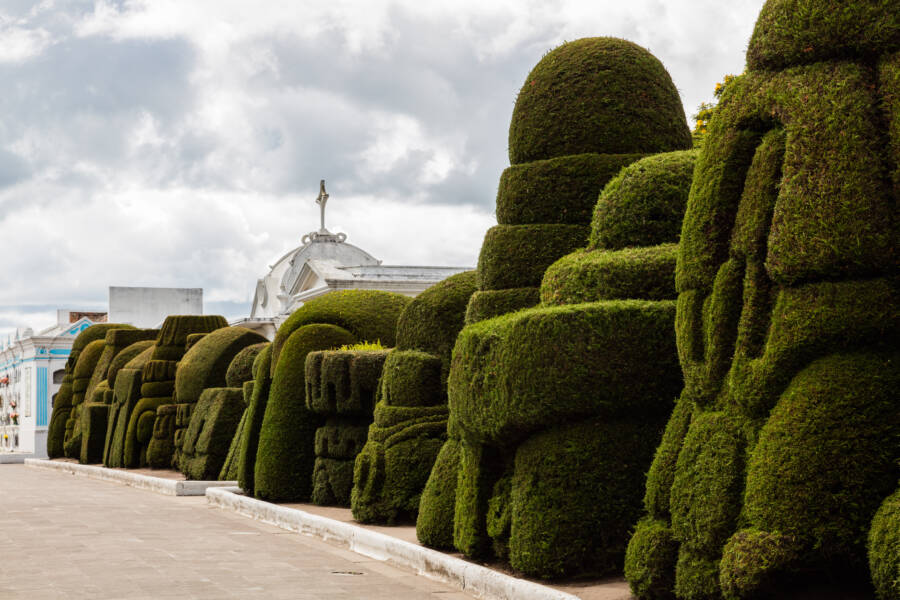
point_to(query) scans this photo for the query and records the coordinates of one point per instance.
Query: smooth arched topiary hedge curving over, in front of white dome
(286, 452)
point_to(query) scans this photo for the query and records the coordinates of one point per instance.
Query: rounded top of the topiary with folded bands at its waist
(435, 317)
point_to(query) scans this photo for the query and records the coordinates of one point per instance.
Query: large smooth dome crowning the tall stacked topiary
(602, 95)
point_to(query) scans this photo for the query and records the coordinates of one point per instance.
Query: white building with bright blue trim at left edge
(31, 370)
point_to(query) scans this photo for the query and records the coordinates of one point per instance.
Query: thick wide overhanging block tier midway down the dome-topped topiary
(519, 373)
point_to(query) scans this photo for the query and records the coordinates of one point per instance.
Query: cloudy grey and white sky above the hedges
(180, 143)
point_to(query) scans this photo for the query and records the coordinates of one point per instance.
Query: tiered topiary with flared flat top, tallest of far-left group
(146, 442)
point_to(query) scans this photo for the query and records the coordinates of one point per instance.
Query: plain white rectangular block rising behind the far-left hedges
(148, 307)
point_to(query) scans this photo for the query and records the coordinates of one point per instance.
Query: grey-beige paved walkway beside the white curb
(69, 537)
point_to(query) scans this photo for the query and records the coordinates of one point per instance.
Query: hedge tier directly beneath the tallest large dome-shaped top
(560, 190)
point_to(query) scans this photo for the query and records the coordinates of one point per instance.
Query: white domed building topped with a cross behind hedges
(325, 262)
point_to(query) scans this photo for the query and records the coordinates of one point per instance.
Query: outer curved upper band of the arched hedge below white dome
(369, 315)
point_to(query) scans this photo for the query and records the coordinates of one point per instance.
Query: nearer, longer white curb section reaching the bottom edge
(474, 579)
